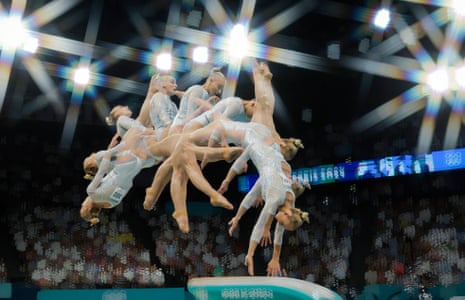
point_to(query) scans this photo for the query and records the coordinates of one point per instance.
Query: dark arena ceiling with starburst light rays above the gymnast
(372, 86)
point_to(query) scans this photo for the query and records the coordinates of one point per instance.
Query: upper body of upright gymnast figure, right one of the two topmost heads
(197, 99)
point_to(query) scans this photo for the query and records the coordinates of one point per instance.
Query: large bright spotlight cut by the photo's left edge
(12, 32)
